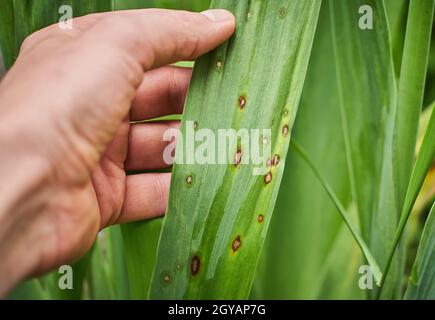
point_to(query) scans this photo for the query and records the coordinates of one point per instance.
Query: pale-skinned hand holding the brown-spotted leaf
(65, 135)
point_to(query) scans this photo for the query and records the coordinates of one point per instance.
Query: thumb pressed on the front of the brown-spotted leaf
(159, 37)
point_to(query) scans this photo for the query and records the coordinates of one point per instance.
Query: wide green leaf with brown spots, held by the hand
(218, 215)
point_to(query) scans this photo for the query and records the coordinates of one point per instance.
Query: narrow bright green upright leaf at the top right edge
(411, 90)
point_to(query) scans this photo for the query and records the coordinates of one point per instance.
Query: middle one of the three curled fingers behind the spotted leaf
(147, 144)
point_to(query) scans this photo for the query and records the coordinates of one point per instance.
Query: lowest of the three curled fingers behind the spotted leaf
(146, 196)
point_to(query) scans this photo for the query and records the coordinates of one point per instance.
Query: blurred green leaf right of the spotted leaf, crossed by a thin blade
(307, 245)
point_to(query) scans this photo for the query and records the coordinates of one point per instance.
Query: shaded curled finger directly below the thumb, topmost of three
(161, 93)
